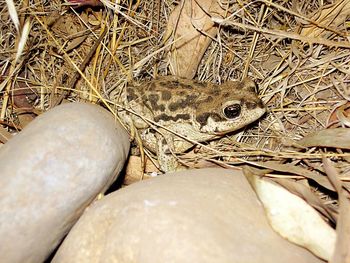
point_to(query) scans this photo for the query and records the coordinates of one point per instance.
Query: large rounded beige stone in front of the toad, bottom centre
(208, 215)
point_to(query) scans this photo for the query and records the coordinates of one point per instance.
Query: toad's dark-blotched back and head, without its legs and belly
(207, 107)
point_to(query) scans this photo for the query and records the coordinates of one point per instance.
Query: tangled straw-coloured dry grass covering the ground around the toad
(297, 51)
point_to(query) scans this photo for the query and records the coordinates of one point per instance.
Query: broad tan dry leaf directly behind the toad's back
(190, 25)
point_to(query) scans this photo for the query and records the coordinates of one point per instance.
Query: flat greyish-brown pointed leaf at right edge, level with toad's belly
(337, 138)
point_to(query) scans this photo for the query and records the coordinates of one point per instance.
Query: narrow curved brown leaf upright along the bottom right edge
(341, 253)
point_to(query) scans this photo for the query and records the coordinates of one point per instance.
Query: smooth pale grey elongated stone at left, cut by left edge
(50, 172)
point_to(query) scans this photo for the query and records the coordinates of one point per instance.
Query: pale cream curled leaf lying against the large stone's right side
(292, 217)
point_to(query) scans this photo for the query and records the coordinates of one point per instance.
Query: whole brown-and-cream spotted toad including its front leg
(195, 110)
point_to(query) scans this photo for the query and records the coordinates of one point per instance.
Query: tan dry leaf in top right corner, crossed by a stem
(330, 16)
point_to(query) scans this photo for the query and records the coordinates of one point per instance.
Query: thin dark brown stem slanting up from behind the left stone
(82, 67)
